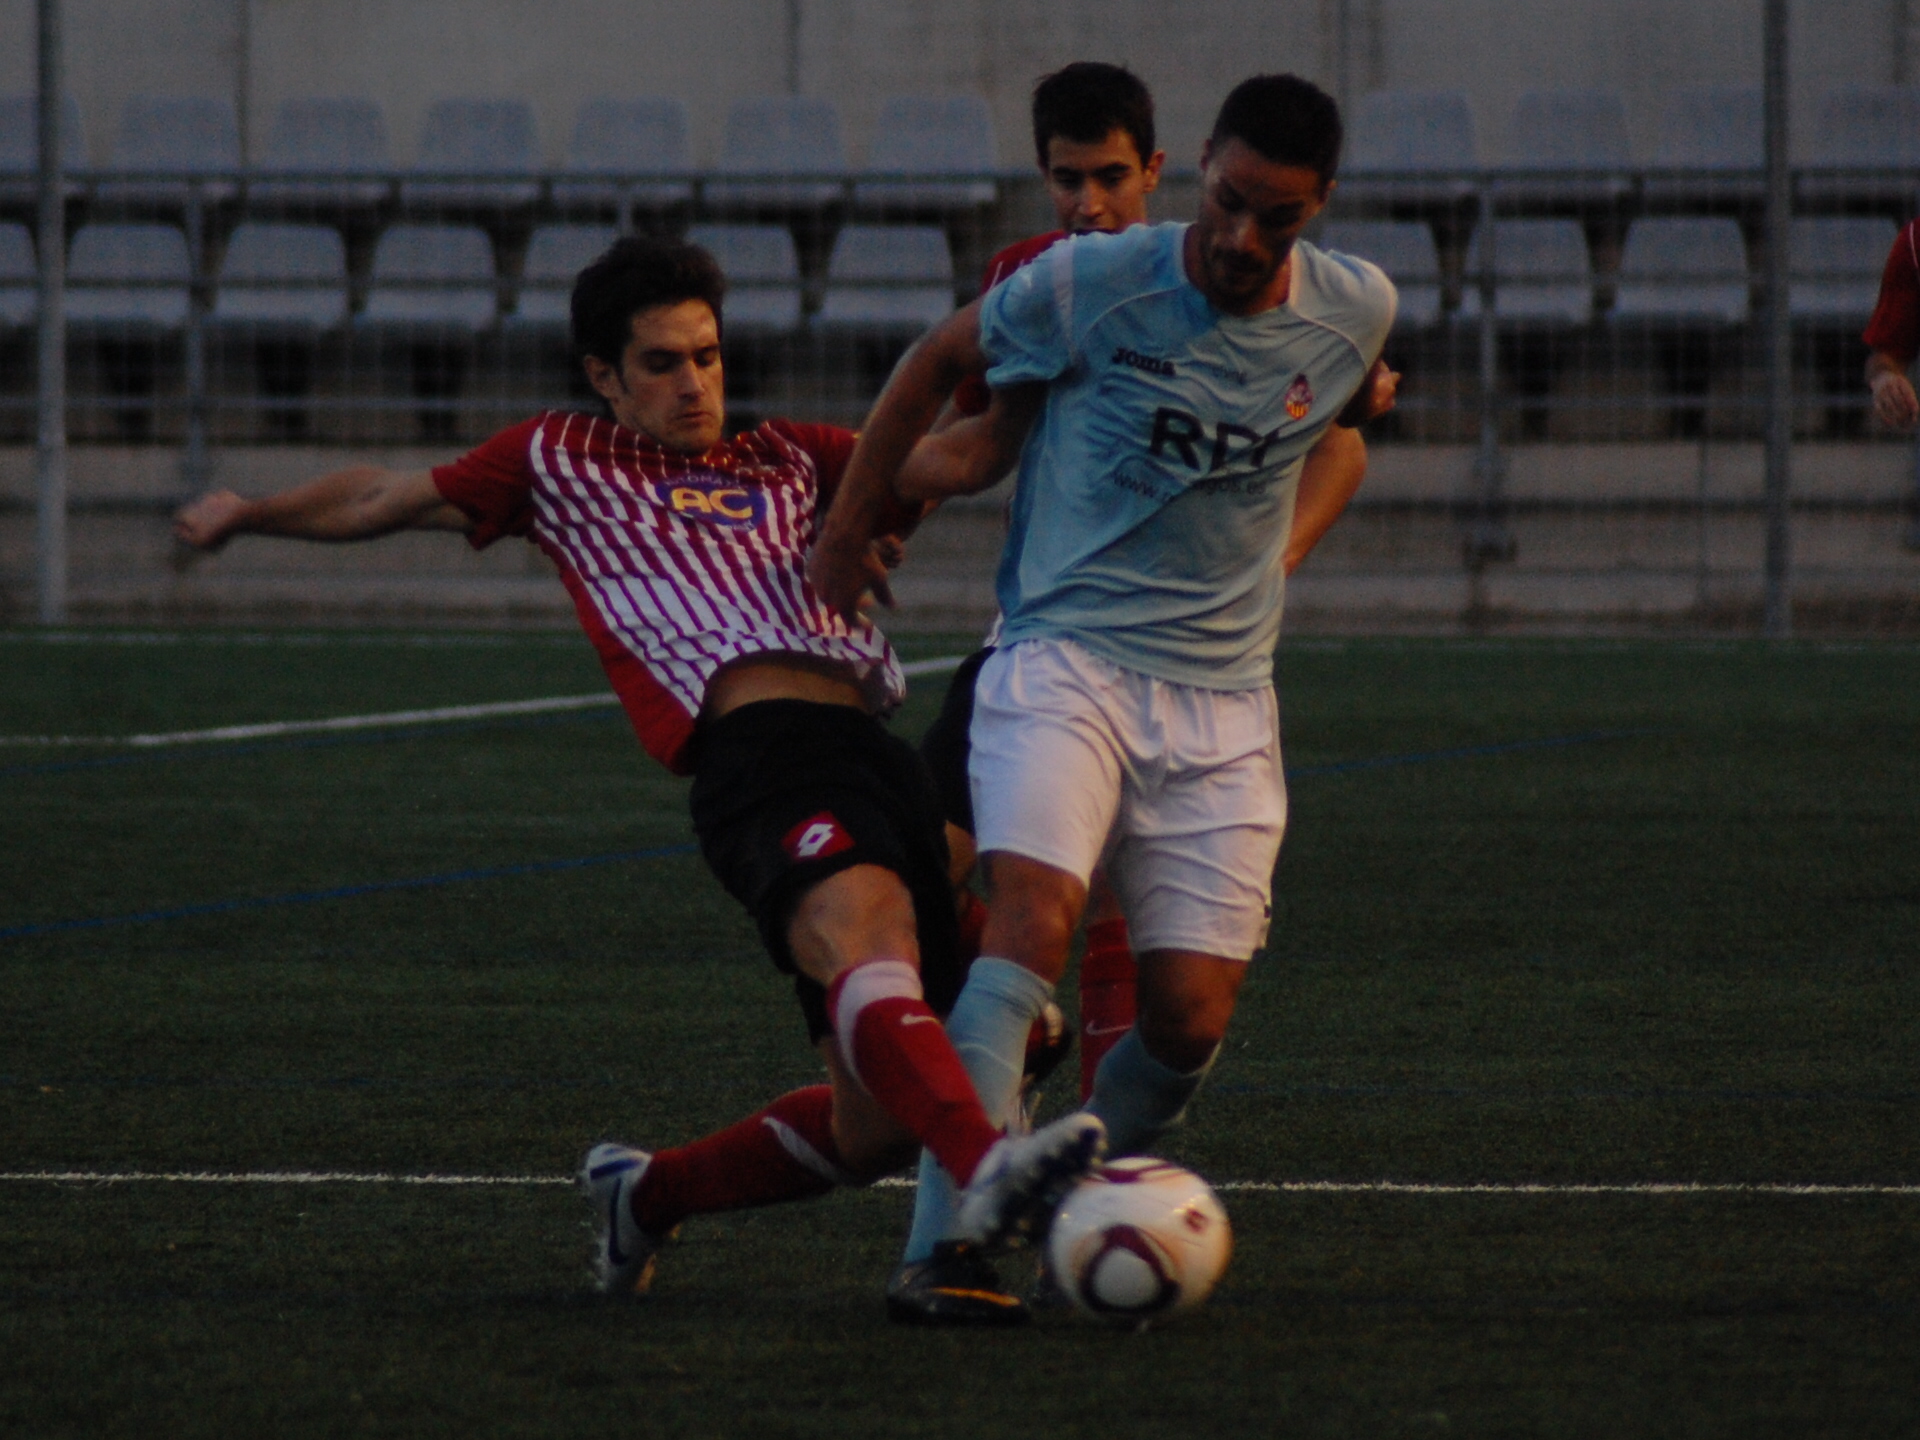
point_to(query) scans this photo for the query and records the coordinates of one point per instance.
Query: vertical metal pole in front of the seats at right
(1779, 617)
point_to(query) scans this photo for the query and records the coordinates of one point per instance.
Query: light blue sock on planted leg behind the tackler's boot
(988, 1026)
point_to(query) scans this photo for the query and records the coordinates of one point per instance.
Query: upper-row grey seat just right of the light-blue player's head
(1399, 139)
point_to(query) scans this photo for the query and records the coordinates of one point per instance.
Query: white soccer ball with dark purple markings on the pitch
(1140, 1241)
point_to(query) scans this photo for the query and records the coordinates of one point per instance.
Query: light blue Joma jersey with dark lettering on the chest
(1159, 485)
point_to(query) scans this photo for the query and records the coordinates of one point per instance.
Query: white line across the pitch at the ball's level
(903, 1184)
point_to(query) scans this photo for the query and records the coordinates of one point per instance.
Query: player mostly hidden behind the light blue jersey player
(1093, 139)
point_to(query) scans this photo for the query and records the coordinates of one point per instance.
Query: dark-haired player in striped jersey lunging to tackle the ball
(684, 554)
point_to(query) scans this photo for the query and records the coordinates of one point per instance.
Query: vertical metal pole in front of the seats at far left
(51, 458)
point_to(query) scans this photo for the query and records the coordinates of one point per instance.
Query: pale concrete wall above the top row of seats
(855, 53)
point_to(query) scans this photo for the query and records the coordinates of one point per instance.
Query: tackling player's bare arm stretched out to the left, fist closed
(358, 504)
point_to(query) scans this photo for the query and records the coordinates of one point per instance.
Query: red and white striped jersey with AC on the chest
(677, 564)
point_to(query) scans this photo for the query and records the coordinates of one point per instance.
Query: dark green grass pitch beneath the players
(1683, 946)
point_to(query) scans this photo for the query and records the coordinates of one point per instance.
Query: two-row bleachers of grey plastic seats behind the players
(331, 291)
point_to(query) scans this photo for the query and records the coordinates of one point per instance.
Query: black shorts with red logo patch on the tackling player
(792, 792)
